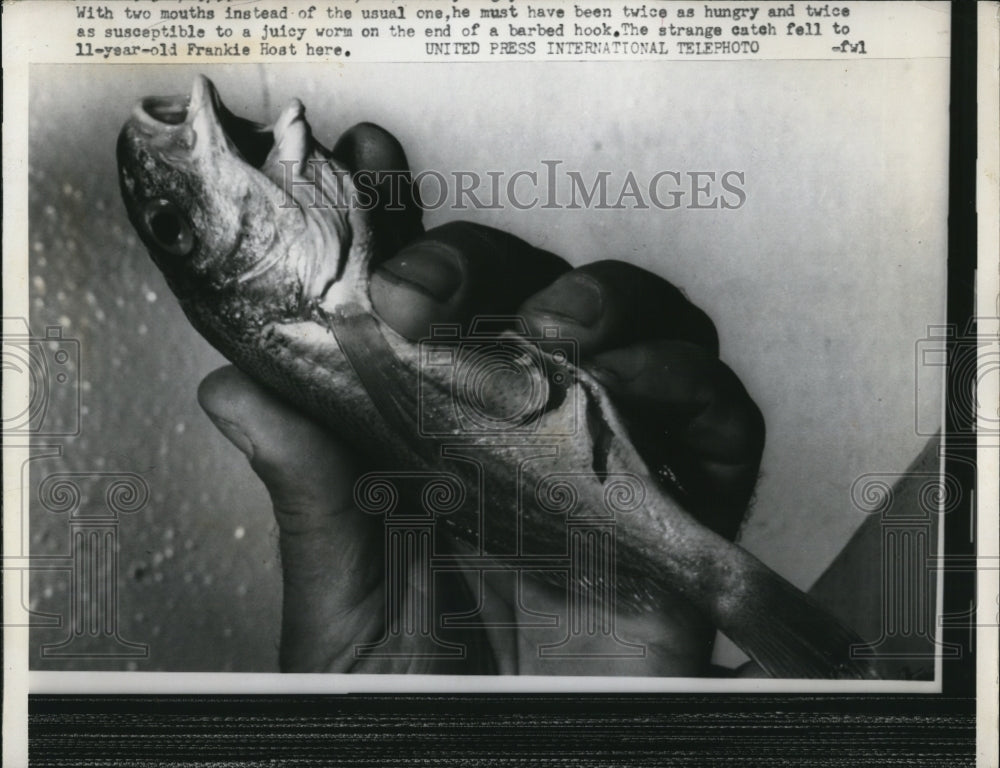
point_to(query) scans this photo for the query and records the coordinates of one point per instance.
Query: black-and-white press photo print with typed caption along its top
(626, 370)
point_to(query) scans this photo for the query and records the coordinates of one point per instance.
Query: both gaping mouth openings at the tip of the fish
(201, 120)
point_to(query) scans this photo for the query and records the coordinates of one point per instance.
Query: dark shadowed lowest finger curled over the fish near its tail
(691, 417)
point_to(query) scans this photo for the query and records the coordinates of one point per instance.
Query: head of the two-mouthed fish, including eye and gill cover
(249, 224)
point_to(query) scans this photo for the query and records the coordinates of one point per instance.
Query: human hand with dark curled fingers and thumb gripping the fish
(655, 353)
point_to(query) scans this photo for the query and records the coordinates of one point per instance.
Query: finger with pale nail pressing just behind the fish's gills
(458, 271)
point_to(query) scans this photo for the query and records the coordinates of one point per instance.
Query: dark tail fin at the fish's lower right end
(788, 634)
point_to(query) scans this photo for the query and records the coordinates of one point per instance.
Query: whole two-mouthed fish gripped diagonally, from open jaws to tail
(261, 237)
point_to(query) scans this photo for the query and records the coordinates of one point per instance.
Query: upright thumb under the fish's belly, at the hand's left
(329, 552)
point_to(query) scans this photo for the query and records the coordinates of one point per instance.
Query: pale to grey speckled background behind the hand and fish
(821, 285)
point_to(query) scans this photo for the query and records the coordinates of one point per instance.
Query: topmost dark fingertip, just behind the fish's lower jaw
(381, 173)
